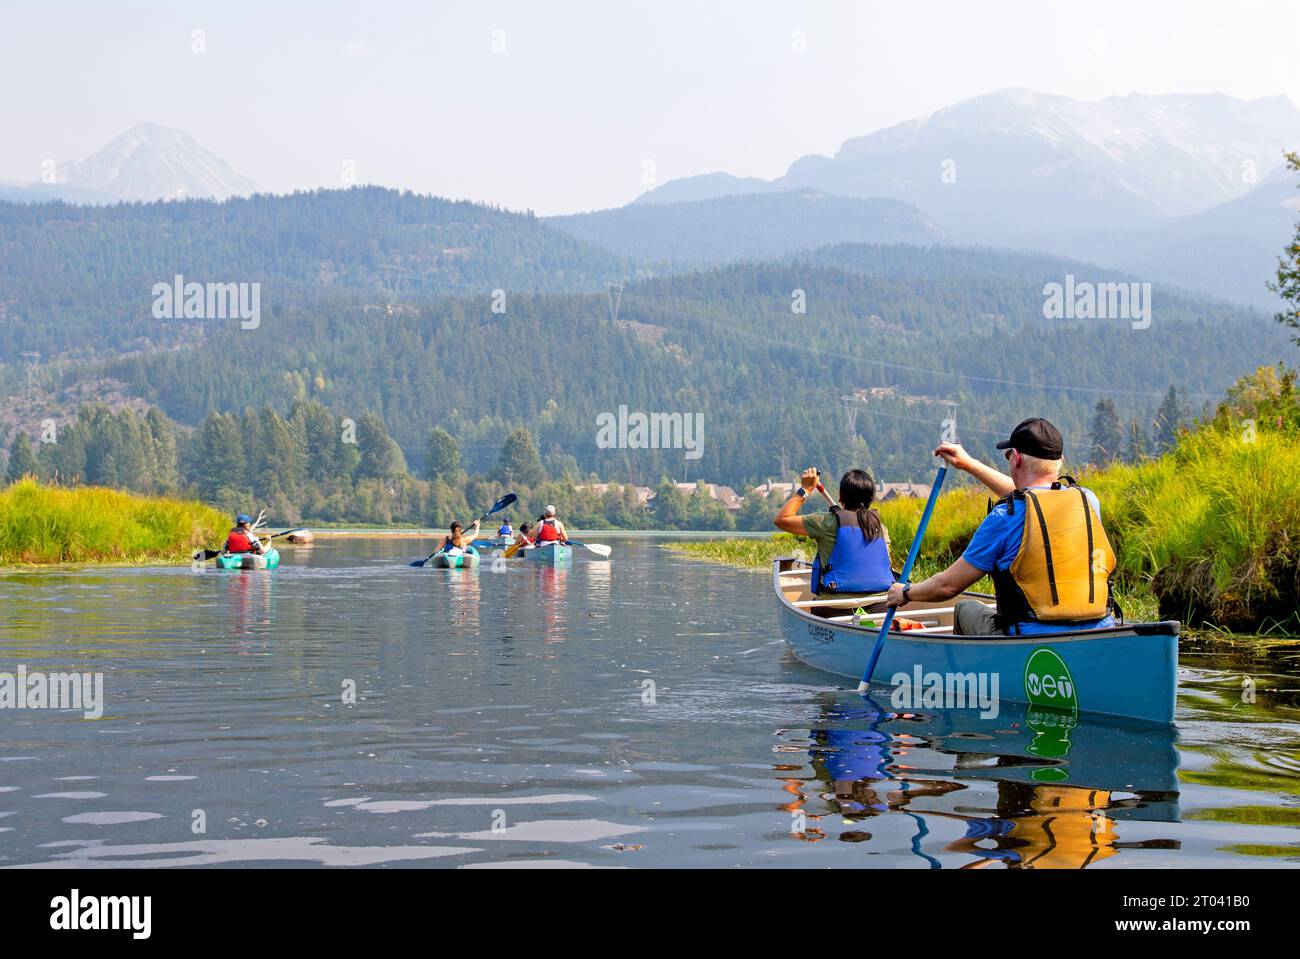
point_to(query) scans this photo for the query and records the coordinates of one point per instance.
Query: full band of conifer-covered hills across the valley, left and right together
(382, 305)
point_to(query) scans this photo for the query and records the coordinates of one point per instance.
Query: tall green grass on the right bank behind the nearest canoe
(1210, 533)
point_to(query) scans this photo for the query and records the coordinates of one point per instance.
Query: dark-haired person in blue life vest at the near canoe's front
(852, 543)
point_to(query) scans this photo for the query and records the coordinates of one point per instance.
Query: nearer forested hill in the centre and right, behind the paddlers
(959, 327)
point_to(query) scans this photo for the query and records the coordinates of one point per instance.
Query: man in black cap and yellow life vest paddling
(1043, 544)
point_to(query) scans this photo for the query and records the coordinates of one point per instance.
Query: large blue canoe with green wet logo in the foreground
(1128, 671)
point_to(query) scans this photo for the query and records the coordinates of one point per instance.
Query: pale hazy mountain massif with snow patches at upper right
(1181, 189)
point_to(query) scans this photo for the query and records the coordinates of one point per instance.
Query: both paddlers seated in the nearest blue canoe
(1043, 544)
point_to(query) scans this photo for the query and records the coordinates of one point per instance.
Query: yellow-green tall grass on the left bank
(89, 524)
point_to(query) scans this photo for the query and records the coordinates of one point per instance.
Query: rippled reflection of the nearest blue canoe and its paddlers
(1061, 788)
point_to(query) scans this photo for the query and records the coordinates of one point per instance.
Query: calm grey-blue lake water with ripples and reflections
(640, 713)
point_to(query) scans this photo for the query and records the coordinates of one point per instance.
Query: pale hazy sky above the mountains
(566, 116)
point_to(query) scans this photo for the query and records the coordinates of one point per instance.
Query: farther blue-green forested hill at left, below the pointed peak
(80, 280)
